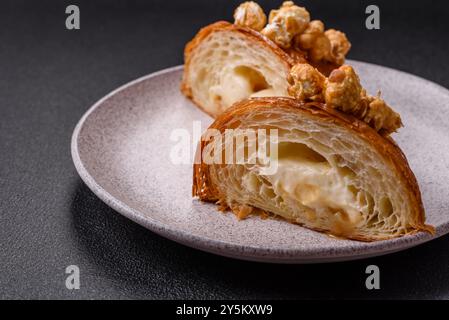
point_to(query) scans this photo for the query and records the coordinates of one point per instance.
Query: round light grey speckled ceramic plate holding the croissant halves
(121, 149)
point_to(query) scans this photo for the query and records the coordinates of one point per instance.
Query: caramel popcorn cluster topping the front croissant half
(342, 90)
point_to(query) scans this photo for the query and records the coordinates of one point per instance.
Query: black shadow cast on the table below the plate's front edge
(150, 266)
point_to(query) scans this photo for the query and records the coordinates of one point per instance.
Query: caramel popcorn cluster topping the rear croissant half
(290, 27)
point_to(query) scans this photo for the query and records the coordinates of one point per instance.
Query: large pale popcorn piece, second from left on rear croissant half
(285, 23)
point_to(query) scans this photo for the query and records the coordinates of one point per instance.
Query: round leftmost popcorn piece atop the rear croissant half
(249, 14)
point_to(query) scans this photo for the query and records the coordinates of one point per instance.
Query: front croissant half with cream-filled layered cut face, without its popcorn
(335, 174)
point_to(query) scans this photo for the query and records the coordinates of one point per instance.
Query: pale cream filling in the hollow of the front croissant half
(304, 176)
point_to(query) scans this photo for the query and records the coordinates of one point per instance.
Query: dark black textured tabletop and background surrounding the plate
(49, 219)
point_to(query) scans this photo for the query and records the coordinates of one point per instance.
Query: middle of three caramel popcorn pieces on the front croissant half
(344, 91)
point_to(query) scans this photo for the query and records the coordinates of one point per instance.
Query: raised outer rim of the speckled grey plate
(228, 249)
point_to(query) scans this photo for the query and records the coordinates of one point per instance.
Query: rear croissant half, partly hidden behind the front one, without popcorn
(226, 63)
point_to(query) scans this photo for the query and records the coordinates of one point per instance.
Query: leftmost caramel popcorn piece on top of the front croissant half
(306, 82)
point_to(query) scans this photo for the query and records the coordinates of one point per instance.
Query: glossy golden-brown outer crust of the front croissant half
(386, 147)
